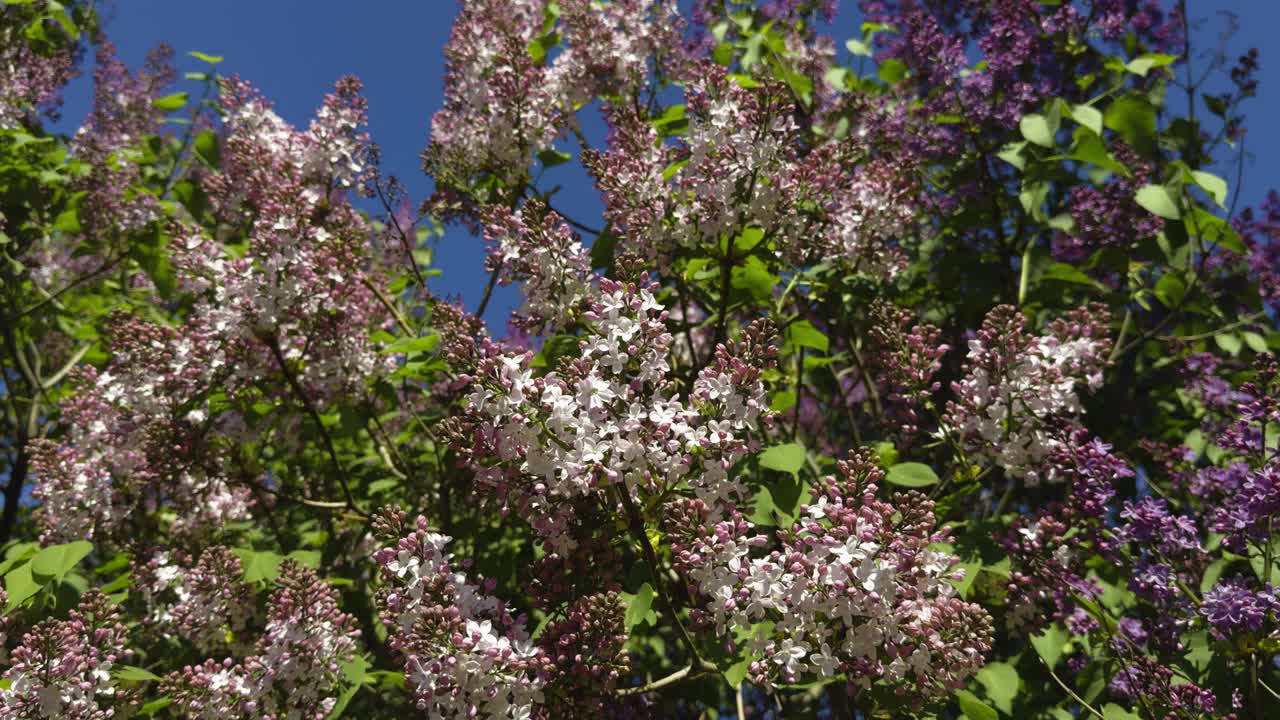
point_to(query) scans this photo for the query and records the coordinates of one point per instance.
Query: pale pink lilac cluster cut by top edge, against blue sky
(504, 104)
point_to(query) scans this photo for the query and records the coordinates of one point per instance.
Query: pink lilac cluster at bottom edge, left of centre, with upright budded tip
(298, 669)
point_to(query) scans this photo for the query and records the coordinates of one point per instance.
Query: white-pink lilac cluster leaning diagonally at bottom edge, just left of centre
(465, 655)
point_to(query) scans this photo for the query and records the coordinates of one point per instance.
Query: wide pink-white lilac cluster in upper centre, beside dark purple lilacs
(742, 163)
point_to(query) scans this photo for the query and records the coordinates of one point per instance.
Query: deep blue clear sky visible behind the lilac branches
(294, 51)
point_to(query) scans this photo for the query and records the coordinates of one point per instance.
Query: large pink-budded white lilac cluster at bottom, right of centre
(854, 587)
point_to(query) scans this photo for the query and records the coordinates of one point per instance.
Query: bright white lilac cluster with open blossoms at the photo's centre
(611, 416)
